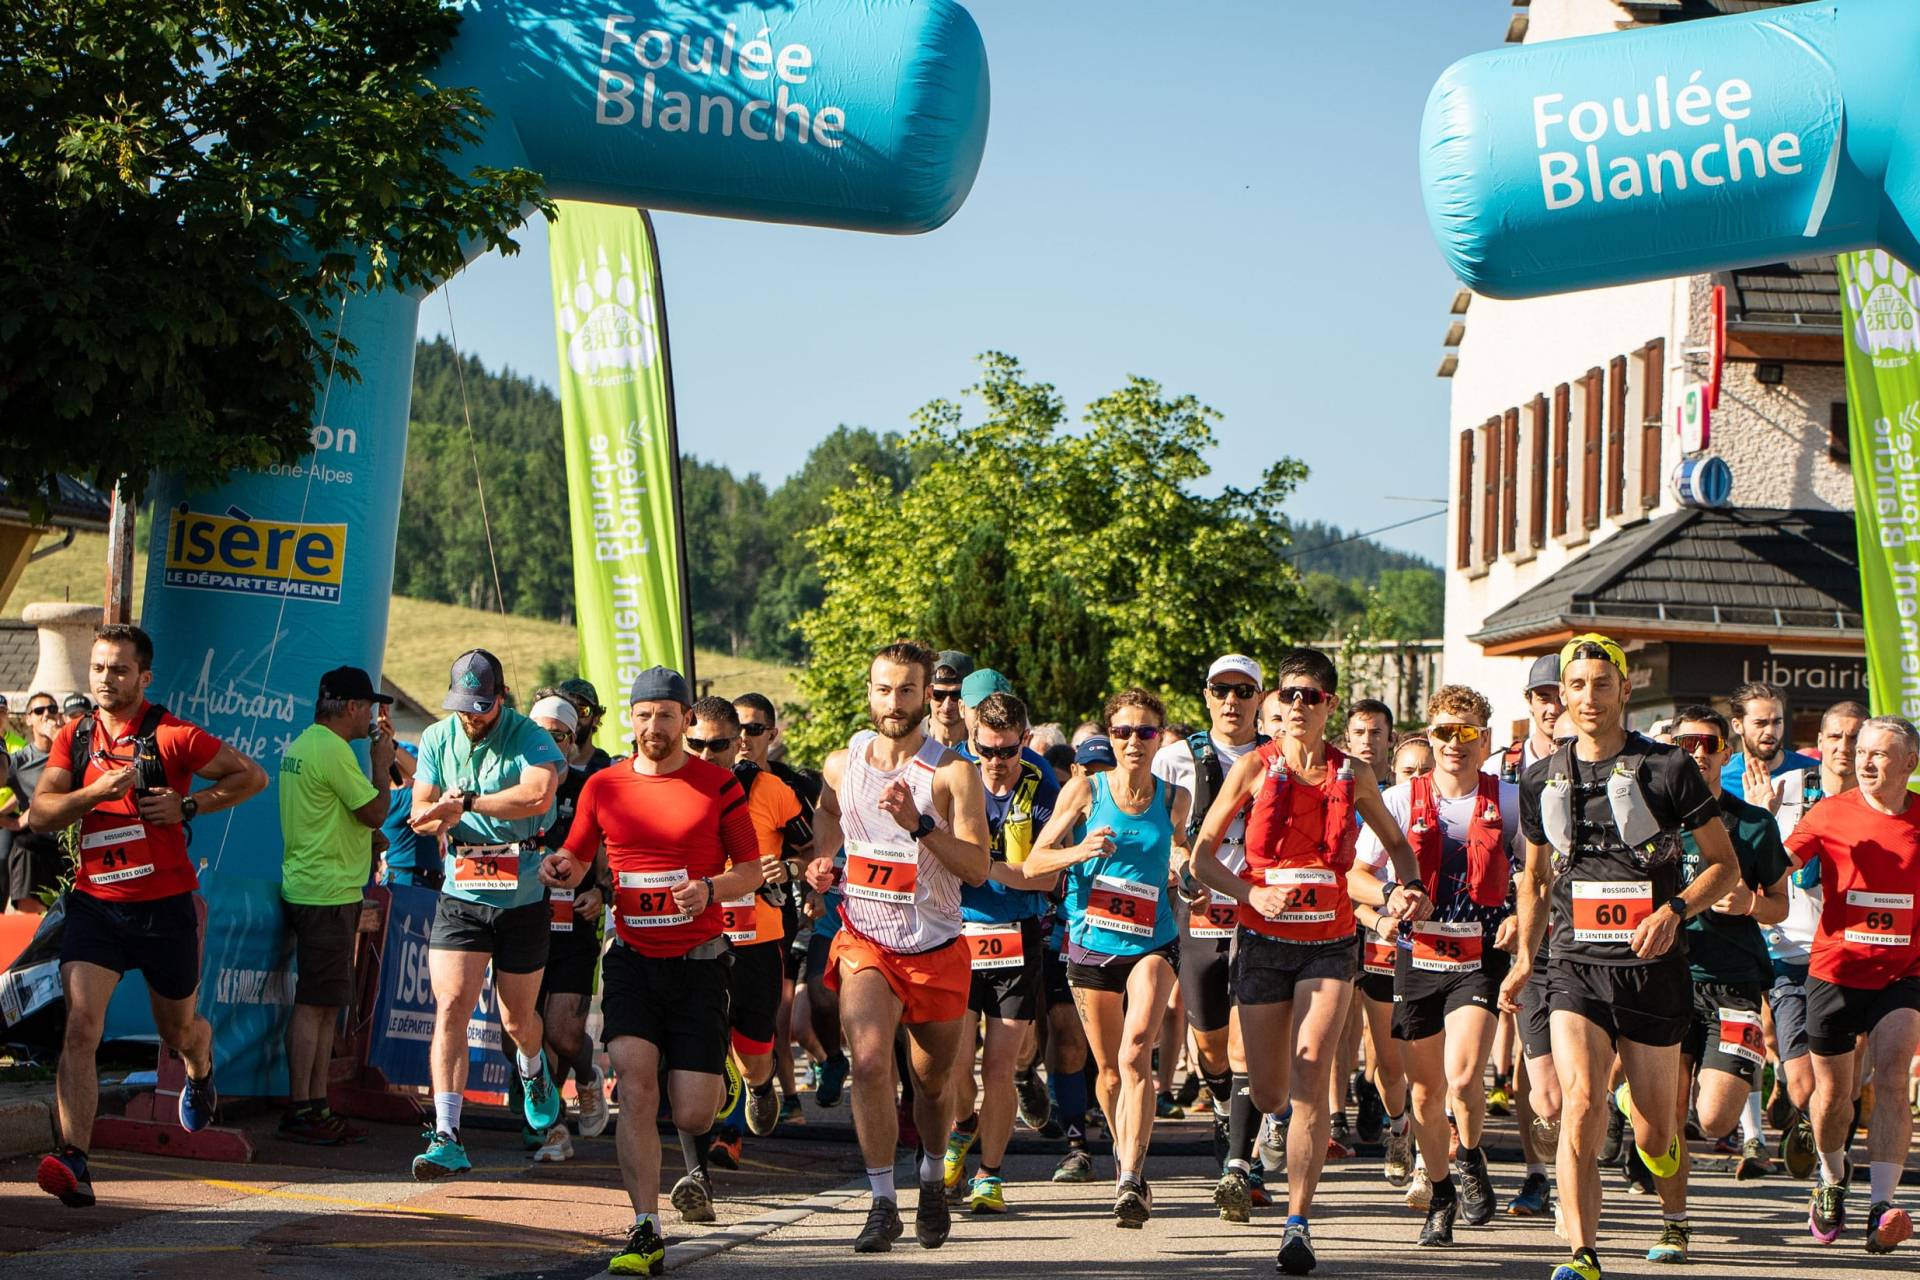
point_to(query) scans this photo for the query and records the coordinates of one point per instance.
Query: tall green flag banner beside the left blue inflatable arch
(623, 454)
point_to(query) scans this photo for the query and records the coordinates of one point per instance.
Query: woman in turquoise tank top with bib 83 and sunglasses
(1122, 941)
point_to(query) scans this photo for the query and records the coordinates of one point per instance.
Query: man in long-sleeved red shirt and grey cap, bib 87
(671, 826)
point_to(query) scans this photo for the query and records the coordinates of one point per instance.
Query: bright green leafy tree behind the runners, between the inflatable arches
(1076, 561)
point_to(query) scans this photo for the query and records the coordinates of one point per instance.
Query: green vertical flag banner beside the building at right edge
(1881, 304)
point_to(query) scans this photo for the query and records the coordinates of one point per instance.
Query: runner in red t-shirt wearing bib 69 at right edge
(1865, 974)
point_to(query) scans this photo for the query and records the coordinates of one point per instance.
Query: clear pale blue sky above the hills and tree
(1222, 197)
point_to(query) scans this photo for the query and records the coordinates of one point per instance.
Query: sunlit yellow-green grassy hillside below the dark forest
(421, 636)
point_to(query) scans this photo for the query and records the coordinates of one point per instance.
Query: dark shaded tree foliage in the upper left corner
(185, 191)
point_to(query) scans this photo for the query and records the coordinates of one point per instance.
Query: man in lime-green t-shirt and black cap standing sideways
(329, 815)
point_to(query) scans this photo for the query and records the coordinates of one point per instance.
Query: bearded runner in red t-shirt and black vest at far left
(133, 901)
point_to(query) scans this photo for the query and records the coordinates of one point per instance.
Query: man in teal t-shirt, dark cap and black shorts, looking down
(489, 782)
